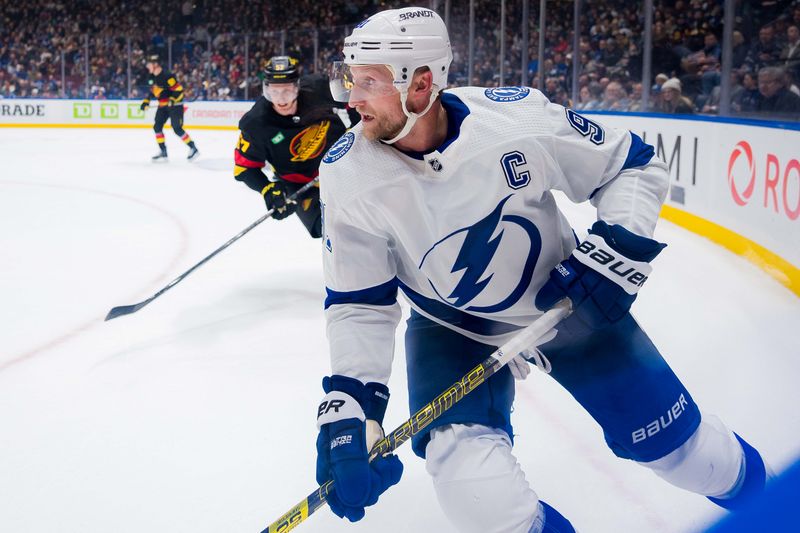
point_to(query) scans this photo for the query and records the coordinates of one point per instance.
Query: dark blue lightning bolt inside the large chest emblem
(475, 255)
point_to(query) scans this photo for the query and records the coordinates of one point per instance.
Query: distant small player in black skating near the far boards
(165, 88)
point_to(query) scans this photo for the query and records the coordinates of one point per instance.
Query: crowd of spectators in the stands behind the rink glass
(218, 48)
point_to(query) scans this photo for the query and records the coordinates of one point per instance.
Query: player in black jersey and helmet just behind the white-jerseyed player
(289, 130)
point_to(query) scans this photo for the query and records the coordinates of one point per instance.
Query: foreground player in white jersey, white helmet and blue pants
(446, 195)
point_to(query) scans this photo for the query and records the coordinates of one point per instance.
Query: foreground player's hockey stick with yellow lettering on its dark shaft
(433, 410)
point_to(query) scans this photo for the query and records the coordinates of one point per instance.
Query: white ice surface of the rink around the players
(197, 413)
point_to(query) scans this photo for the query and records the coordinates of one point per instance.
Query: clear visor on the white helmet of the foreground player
(360, 82)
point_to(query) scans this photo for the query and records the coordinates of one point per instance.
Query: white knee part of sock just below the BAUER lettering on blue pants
(708, 463)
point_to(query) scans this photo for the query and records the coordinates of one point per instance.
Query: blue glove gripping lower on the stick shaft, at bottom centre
(349, 422)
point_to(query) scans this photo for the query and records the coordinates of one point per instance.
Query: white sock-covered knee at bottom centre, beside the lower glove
(478, 482)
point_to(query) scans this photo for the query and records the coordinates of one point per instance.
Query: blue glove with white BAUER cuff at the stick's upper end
(602, 276)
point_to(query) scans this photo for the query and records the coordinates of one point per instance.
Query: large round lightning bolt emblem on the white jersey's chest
(488, 247)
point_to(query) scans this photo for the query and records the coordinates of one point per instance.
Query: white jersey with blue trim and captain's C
(470, 231)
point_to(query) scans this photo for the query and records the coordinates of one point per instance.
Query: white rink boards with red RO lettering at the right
(742, 177)
